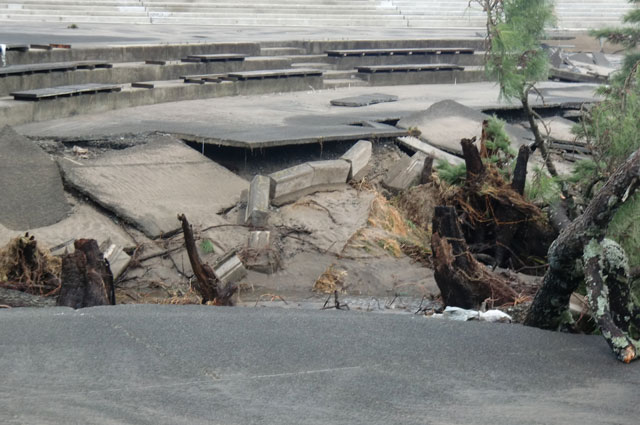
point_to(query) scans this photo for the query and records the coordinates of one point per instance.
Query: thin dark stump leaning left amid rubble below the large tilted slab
(207, 284)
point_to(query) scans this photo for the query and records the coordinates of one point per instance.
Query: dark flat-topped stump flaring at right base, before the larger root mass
(463, 282)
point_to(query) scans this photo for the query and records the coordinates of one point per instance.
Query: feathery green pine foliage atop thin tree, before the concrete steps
(515, 58)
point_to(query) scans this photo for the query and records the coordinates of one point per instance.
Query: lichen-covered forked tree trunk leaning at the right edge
(572, 254)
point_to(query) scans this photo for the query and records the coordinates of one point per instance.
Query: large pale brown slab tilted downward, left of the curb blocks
(148, 185)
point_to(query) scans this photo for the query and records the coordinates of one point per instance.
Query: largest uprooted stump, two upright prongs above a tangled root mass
(499, 224)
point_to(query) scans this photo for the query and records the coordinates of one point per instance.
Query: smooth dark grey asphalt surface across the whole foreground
(145, 364)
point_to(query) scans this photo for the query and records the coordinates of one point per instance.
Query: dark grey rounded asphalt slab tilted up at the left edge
(31, 192)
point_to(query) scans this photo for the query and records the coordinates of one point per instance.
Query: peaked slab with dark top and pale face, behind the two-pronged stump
(447, 122)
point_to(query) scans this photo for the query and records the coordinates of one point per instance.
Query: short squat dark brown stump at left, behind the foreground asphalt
(87, 280)
